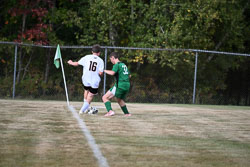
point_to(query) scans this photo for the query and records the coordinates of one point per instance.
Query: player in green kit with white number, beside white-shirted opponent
(121, 87)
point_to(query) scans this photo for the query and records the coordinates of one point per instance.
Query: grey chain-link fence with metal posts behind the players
(182, 76)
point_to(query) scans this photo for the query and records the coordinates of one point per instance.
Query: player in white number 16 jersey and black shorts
(93, 67)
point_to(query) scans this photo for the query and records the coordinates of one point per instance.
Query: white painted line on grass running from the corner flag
(91, 141)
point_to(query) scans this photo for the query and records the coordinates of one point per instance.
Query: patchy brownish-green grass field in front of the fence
(45, 133)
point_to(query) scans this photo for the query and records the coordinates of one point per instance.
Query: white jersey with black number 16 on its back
(92, 65)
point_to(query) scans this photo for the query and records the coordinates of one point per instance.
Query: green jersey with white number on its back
(122, 76)
